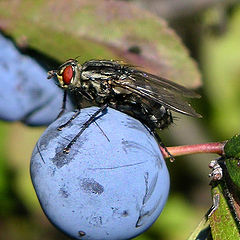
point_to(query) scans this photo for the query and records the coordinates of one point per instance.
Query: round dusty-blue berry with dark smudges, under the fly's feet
(113, 184)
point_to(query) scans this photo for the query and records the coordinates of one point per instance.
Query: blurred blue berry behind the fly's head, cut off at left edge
(26, 94)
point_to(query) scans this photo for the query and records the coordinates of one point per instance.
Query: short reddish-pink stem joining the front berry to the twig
(217, 147)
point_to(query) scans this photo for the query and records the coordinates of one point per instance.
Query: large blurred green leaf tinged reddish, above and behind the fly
(99, 29)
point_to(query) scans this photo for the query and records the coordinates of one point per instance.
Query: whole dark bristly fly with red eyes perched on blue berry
(142, 95)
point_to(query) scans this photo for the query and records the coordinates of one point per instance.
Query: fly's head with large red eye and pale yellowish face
(68, 74)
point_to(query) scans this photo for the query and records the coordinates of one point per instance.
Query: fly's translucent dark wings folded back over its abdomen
(160, 90)
